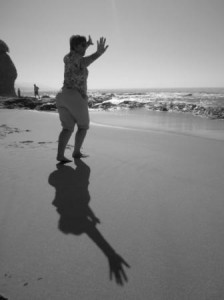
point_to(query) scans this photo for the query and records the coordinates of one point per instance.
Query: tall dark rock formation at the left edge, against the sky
(8, 73)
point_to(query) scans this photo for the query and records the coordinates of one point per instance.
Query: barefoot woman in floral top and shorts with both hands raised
(72, 101)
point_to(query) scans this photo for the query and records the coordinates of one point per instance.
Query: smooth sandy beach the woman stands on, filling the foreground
(157, 191)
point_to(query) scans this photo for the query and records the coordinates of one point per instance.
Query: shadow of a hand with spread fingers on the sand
(116, 263)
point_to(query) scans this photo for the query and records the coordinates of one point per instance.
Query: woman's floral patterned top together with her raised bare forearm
(76, 72)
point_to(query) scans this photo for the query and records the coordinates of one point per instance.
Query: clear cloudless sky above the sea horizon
(152, 43)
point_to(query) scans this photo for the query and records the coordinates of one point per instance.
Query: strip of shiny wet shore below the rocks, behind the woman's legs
(144, 120)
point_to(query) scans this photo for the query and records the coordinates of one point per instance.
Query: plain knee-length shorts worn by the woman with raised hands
(72, 109)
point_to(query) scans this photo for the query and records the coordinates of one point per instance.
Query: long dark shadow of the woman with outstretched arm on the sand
(76, 217)
